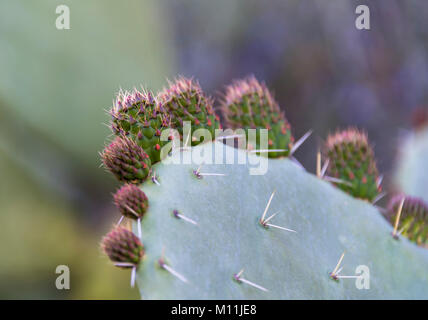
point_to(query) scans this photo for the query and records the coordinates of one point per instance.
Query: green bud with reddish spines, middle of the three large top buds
(185, 101)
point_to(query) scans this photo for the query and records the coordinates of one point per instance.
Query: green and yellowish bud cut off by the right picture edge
(413, 222)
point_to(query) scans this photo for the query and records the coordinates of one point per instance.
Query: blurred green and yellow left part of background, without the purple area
(55, 88)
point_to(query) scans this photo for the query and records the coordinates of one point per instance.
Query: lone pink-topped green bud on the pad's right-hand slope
(352, 163)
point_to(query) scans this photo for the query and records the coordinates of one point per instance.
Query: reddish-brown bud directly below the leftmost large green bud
(126, 160)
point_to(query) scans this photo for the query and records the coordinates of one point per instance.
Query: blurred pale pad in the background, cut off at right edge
(412, 173)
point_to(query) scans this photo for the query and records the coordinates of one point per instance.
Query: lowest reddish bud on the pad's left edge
(123, 247)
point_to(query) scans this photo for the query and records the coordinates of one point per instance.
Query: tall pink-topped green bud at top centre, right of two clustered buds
(248, 104)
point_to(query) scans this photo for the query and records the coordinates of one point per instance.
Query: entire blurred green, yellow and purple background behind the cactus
(55, 85)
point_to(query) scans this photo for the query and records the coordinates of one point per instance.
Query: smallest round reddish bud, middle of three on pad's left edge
(131, 201)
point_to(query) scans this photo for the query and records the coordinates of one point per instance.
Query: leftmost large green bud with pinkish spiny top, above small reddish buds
(139, 116)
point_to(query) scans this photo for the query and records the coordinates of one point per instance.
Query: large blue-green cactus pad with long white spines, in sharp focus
(202, 230)
